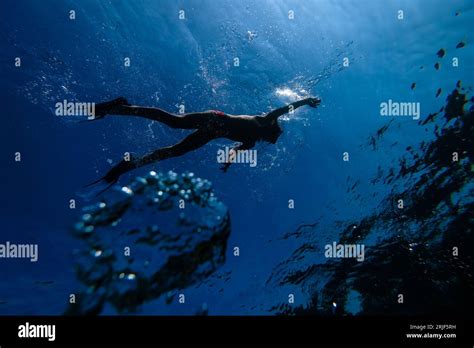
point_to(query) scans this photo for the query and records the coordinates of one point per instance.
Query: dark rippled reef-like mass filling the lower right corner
(427, 250)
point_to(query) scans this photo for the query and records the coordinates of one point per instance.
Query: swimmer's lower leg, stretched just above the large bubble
(192, 142)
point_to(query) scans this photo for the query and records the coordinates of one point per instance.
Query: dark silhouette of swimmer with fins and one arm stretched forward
(208, 125)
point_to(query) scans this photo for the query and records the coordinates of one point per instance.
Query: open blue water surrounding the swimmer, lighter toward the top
(191, 61)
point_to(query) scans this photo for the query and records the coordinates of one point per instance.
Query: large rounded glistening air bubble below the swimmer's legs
(160, 233)
